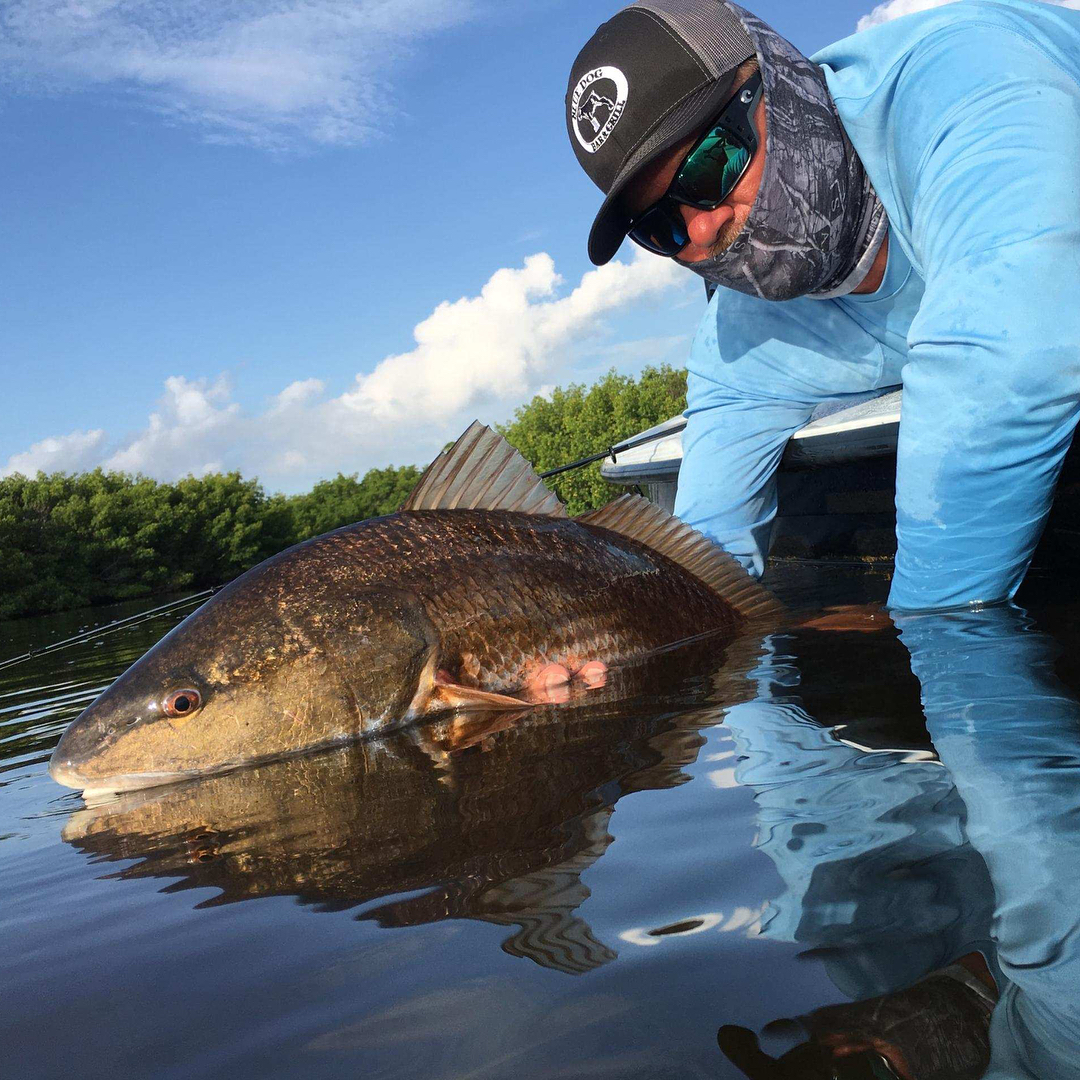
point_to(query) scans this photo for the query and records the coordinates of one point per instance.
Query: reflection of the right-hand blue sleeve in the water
(1009, 733)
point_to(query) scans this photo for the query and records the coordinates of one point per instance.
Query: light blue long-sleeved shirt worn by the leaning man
(968, 121)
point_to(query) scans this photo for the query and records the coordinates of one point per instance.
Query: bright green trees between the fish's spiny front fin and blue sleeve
(580, 422)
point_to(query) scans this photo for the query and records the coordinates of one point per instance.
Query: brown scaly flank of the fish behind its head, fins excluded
(509, 590)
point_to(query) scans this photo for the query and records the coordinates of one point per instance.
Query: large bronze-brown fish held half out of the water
(480, 593)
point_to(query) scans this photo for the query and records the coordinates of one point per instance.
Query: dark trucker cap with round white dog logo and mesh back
(647, 78)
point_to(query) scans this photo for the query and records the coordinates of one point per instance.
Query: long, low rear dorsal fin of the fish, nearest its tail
(633, 517)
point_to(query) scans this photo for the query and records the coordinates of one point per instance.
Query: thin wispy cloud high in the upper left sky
(273, 73)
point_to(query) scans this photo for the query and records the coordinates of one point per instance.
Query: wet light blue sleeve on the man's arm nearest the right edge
(992, 383)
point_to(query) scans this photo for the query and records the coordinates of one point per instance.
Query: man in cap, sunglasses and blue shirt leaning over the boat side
(903, 209)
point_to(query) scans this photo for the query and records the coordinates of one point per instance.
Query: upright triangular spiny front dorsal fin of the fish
(482, 471)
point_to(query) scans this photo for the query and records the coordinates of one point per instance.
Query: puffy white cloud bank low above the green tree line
(478, 357)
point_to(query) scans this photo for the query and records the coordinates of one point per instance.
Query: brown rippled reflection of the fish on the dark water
(501, 833)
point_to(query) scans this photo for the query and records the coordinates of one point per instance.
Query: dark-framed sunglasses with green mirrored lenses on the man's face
(709, 174)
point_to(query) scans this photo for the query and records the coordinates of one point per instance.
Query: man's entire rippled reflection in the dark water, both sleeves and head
(1009, 734)
